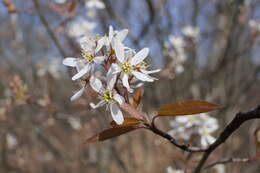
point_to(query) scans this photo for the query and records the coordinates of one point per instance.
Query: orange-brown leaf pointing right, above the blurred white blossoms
(187, 108)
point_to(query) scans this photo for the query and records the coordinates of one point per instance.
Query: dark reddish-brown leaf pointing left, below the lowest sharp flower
(110, 133)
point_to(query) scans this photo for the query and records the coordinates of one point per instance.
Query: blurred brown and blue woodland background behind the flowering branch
(207, 50)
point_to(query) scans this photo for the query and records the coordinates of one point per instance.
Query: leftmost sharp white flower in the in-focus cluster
(90, 58)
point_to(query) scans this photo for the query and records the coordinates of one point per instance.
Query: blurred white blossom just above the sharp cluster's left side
(79, 27)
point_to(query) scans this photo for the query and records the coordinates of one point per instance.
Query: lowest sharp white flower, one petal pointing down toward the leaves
(108, 96)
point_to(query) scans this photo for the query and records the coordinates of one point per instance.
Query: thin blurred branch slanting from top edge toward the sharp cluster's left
(48, 29)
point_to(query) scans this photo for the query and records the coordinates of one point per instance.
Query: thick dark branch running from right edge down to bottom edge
(239, 119)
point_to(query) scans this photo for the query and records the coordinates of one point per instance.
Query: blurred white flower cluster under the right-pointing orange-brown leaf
(203, 125)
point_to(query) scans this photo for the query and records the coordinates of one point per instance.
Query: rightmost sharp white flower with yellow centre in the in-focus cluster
(131, 65)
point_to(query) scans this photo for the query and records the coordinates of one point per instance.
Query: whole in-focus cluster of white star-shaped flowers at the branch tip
(124, 70)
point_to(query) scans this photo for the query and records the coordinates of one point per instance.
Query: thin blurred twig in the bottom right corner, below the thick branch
(231, 160)
